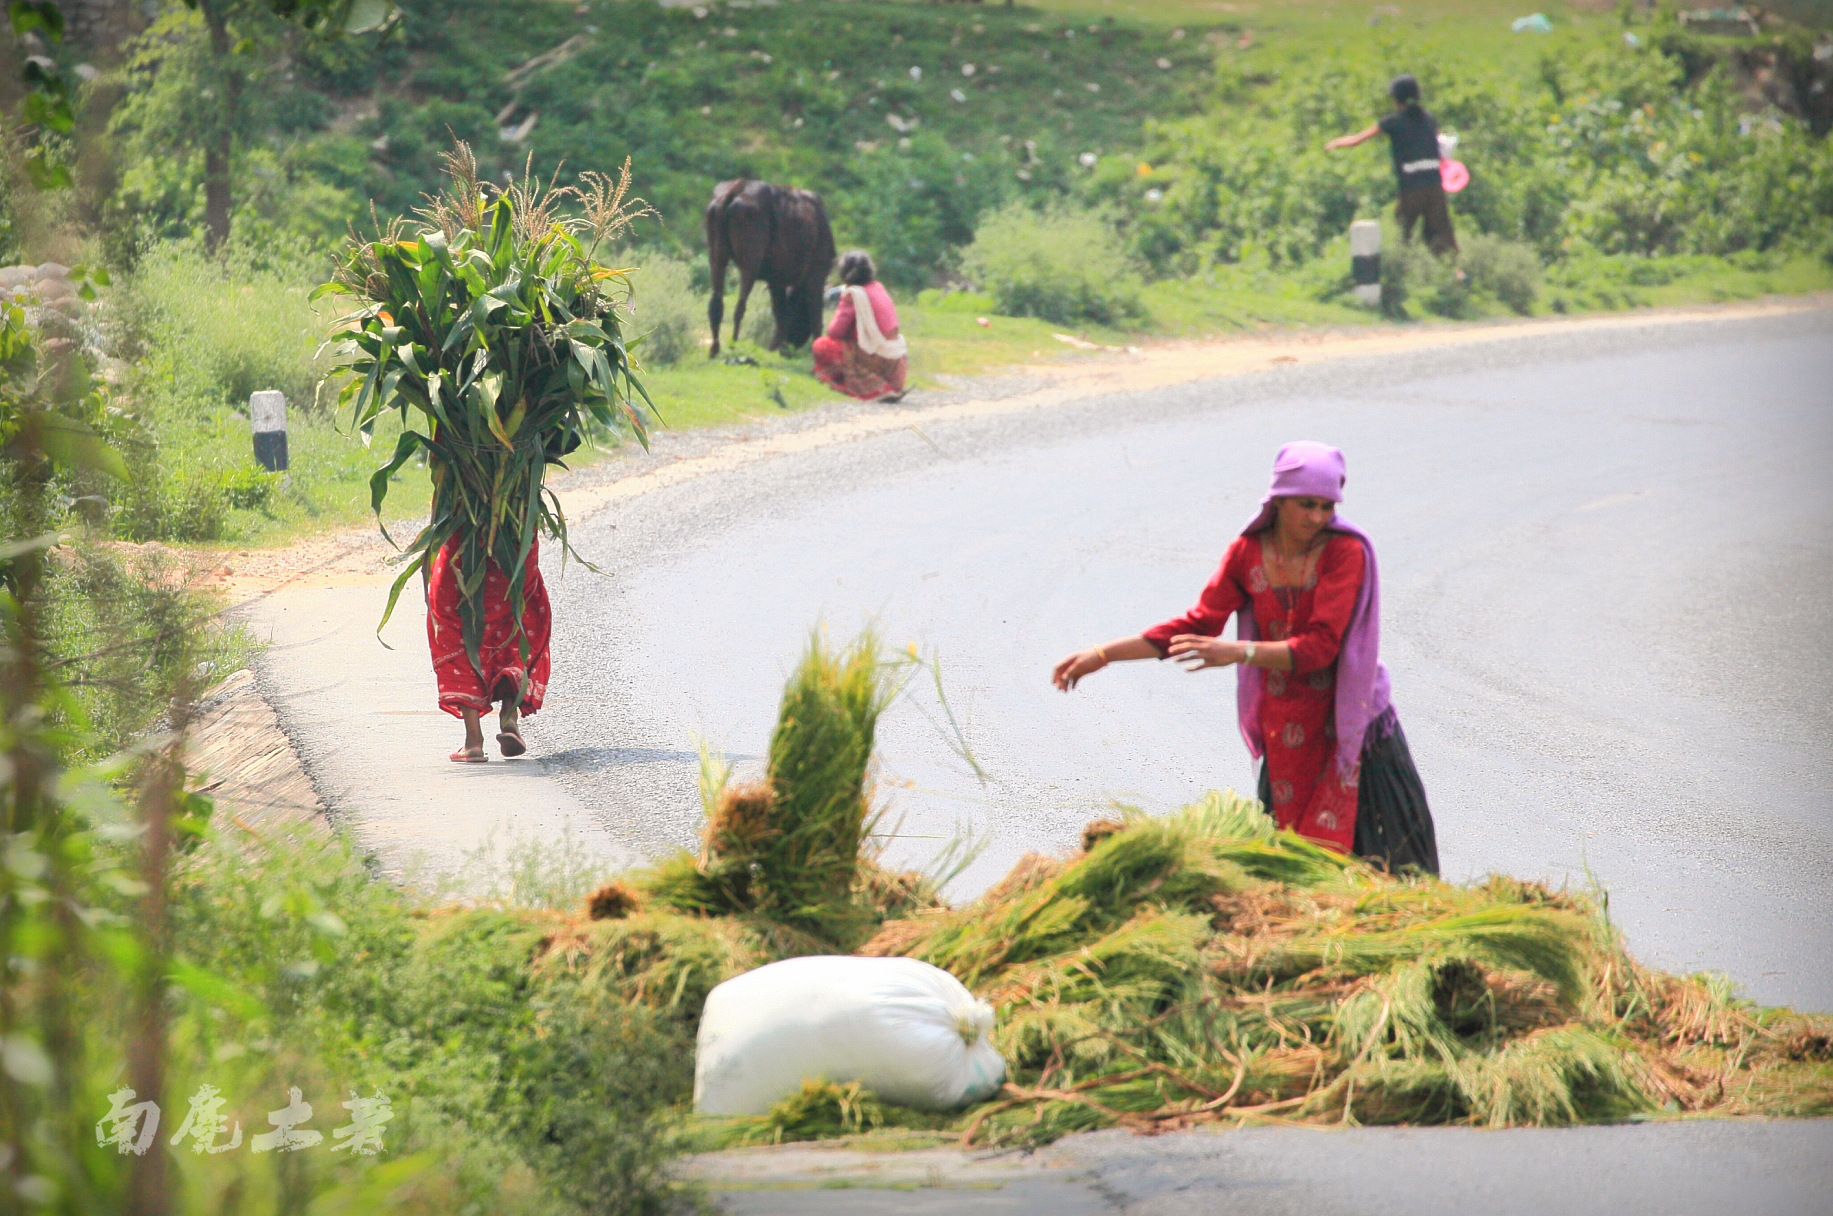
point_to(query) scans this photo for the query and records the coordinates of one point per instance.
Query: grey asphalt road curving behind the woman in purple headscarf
(1607, 579)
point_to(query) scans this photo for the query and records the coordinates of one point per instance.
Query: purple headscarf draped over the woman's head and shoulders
(1312, 470)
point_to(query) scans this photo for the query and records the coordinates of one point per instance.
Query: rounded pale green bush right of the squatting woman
(1060, 265)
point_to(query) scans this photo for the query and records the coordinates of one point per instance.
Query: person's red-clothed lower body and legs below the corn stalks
(512, 667)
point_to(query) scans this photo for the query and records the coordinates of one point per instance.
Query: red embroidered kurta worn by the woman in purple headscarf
(1299, 714)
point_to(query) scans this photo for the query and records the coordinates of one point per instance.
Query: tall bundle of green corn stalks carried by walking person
(494, 324)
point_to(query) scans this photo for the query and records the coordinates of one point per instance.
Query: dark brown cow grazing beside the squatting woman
(774, 234)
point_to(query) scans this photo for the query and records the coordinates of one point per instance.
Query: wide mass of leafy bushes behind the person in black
(1603, 146)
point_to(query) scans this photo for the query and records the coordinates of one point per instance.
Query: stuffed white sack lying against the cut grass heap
(905, 1030)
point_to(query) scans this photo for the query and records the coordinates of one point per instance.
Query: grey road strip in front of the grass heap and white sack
(1707, 1169)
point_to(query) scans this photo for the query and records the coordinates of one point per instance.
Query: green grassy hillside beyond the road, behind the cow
(806, 93)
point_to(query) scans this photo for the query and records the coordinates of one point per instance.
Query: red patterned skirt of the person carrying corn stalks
(465, 687)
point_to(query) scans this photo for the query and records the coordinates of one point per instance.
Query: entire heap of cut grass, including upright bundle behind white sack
(1196, 967)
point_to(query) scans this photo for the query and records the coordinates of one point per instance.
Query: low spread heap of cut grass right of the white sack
(1205, 967)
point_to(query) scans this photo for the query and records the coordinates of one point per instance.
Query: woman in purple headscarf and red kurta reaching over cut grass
(1312, 691)
